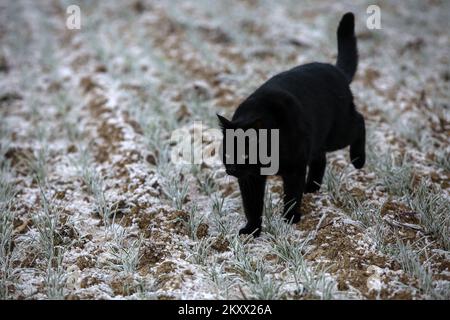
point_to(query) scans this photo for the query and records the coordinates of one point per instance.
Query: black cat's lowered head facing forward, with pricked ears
(240, 146)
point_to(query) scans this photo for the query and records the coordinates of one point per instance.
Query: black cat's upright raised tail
(347, 59)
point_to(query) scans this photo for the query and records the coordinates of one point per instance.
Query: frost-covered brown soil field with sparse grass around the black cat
(92, 208)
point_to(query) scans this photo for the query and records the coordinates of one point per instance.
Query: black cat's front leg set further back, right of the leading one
(294, 185)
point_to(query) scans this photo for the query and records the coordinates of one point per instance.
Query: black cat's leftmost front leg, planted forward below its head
(252, 191)
